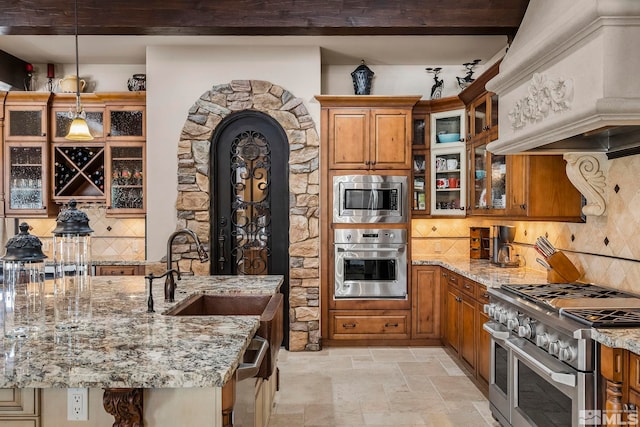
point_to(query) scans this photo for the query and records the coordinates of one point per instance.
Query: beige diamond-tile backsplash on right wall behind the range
(606, 249)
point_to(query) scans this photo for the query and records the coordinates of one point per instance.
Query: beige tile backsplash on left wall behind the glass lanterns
(113, 239)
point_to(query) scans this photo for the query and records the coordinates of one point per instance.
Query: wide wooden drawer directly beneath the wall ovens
(387, 325)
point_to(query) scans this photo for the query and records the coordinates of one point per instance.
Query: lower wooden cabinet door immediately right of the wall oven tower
(426, 302)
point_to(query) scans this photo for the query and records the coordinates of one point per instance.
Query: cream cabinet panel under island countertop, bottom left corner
(19, 407)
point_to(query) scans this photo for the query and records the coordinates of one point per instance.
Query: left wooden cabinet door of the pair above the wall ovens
(348, 138)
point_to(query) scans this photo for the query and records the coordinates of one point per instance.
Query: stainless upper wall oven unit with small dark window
(369, 199)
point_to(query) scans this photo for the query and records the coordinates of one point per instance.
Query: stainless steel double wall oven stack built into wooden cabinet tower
(371, 262)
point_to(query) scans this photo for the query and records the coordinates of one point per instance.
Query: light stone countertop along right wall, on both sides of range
(484, 272)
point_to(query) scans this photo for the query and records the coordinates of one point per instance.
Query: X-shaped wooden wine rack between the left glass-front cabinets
(78, 172)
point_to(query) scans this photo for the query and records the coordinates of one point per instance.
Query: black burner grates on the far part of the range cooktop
(545, 293)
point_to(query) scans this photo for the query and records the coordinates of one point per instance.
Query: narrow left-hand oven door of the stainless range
(500, 372)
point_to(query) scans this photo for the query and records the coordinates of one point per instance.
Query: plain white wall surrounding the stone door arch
(176, 78)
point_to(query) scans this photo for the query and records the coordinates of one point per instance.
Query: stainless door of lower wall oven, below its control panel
(370, 271)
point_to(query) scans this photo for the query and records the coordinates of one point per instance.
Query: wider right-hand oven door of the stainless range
(547, 392)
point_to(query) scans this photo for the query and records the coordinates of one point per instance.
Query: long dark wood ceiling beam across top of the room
(263, 17)
